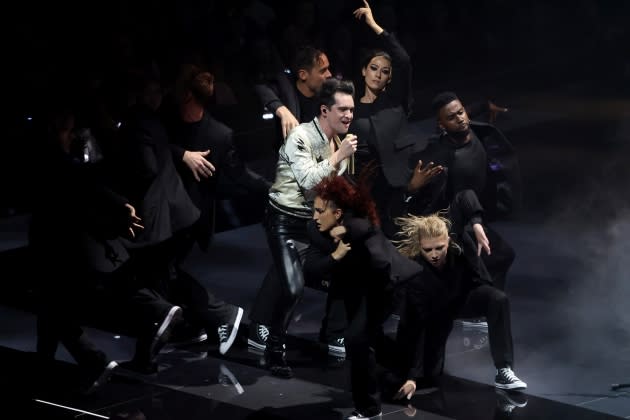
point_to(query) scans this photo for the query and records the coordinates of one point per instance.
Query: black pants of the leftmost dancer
(78, 296)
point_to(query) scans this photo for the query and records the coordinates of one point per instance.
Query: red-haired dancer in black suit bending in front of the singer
(348, 247)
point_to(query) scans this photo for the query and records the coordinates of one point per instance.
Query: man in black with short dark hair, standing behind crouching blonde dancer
(475, 156)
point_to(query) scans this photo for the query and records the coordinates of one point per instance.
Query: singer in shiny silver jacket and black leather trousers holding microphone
(311, 152)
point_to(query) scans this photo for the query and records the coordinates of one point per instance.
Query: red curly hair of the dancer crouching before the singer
(348, 196)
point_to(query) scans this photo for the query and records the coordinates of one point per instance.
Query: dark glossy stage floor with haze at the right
(568, 362)
